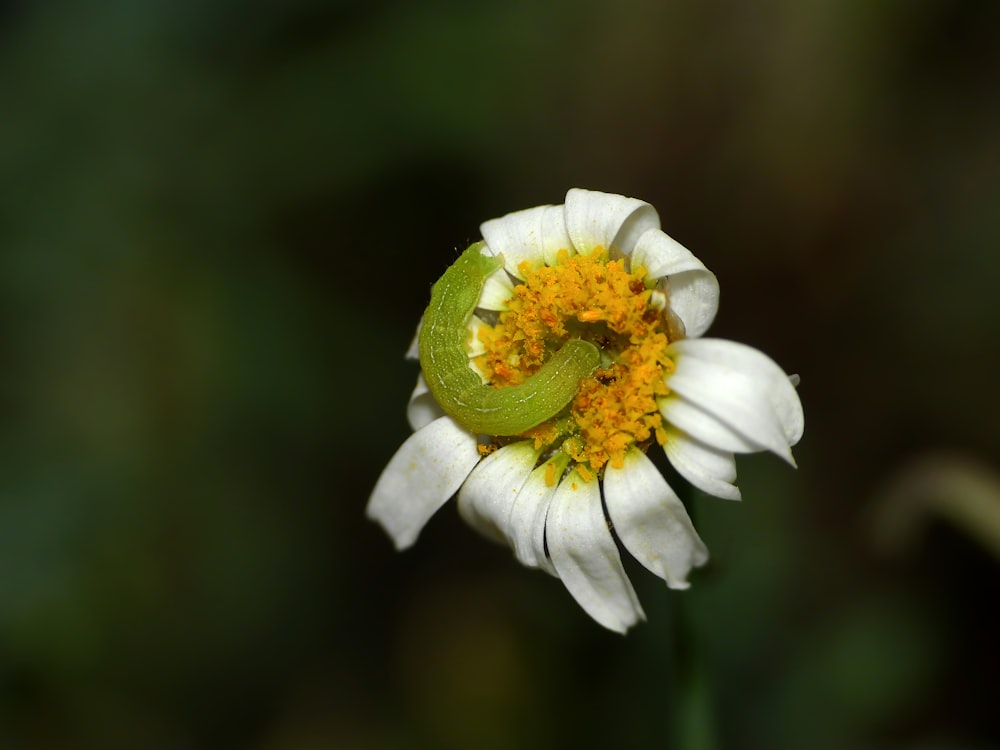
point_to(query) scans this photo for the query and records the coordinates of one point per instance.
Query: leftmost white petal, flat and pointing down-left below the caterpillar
(426, 470)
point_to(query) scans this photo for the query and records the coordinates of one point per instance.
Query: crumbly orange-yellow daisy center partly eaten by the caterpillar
(597, 299)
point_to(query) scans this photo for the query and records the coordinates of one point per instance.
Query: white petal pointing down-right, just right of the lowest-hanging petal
(651, 521)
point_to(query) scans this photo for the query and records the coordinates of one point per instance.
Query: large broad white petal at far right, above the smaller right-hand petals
(742, 386)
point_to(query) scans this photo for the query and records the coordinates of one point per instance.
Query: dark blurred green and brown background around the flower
(219, 223)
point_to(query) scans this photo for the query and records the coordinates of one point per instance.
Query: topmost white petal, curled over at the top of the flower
(610, 221)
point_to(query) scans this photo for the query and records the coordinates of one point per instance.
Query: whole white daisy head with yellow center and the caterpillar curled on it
(567, 476)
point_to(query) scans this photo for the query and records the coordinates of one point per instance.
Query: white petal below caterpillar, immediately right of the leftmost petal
(488, 495)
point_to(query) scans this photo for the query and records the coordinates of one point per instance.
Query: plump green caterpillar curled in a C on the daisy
(460, 392)
